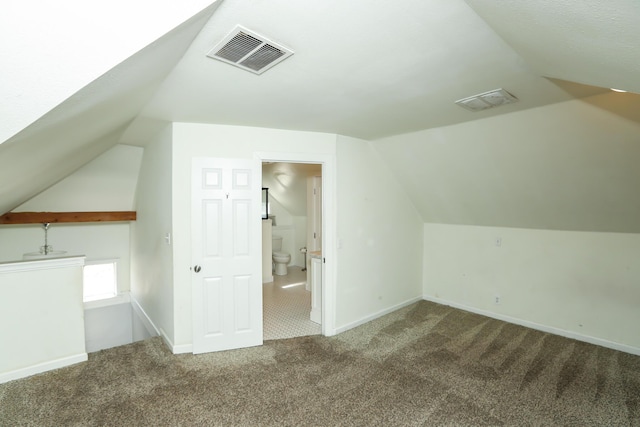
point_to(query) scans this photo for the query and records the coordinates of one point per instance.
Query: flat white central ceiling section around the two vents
(361, 68)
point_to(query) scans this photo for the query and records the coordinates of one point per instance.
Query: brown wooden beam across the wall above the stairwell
(54, 217)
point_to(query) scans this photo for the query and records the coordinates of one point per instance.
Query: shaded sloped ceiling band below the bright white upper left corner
(88, 122)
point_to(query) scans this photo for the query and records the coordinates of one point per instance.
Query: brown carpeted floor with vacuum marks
(423, 365)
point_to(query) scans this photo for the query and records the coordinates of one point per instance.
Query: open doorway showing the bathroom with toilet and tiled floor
(293, 228)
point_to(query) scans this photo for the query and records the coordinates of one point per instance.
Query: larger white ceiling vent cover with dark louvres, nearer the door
(249, 51)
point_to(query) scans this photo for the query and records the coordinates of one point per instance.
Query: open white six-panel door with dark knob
(226, 253)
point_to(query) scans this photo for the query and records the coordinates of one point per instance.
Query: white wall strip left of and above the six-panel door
(202, 140)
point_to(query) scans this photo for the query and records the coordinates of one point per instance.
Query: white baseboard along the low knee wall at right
(537, 326)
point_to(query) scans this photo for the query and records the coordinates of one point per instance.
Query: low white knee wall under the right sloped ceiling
(577, 284)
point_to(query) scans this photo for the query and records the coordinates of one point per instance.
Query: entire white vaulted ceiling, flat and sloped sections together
(374, 70)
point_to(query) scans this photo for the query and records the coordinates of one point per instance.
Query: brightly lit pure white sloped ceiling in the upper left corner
(50, 50)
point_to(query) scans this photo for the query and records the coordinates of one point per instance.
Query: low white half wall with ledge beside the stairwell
(41, 316)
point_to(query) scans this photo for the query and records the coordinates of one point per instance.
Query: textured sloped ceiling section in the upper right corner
(592, 42)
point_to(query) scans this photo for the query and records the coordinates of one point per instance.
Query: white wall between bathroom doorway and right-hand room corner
(379, 237)
